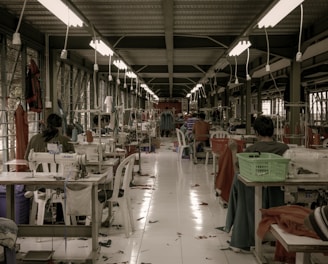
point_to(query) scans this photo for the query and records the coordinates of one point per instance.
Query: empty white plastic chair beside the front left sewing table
(121, 192)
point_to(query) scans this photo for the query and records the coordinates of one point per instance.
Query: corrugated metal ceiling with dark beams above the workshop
(174, 44)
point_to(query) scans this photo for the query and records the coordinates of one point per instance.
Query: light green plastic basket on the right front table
(263, 167)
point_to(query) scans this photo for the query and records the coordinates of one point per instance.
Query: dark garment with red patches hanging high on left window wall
(33, 90)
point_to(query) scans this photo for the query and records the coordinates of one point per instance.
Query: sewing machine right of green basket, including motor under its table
(307, 163)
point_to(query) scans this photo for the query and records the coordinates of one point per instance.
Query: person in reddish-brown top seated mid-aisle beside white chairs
(201, 132)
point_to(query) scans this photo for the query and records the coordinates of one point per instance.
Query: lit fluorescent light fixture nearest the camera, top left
(63, 12)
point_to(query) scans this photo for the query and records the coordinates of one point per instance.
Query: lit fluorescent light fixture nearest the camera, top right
(278, 12)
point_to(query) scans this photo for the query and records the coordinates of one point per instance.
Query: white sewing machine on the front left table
(59, 164)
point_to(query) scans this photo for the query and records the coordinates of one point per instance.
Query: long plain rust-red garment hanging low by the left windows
(21, 135)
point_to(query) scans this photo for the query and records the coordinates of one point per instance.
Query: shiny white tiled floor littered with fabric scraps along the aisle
(176, 214)
